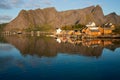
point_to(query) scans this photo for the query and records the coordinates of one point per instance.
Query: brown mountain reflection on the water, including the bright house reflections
(50, 47)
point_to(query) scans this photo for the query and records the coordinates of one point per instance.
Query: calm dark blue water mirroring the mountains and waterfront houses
(42, 58)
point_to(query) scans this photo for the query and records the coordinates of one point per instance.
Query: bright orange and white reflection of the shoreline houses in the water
(86, 42)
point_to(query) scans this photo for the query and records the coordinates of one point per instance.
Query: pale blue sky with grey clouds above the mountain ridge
(9, 9)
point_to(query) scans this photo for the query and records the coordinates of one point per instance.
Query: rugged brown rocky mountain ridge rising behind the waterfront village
(50, 18)
